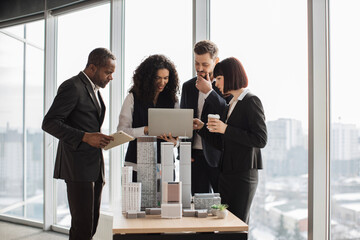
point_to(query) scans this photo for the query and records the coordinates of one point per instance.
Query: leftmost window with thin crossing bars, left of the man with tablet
(21, 137)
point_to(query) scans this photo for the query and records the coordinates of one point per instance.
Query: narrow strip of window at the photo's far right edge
(345, 119)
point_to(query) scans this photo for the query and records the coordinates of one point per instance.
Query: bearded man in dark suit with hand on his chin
(205, 159)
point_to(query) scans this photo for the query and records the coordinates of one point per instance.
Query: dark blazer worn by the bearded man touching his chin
(189, 99)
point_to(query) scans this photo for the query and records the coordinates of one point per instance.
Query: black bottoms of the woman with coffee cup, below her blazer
(238, 190)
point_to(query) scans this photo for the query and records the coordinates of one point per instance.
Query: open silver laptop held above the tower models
(178, 122)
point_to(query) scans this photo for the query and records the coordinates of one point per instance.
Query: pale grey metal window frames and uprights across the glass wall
(319, 102)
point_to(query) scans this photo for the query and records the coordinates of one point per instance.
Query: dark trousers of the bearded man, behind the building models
(203, 177)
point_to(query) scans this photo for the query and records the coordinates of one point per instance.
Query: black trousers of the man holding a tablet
(84, 203)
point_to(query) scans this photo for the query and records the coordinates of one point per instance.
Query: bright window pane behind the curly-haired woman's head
(165, 28)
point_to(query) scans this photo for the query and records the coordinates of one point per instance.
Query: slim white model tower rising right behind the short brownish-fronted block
(167, 162)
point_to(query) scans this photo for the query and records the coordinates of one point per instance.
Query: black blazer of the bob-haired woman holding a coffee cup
(245, 134)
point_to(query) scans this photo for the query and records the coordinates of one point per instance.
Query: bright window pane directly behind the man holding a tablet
(78, 34)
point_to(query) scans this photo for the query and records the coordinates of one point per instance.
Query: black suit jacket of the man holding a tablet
(75, 111)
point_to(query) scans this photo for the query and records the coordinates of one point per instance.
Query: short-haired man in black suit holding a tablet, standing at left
(75, 118)
